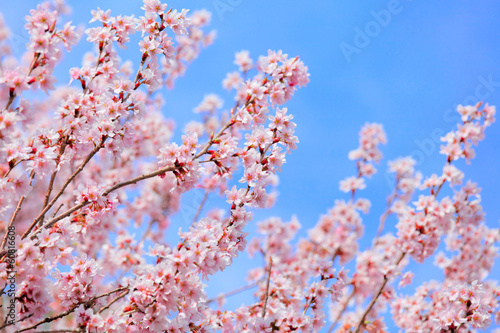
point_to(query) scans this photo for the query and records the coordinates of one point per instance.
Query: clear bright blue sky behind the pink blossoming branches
(410, 75)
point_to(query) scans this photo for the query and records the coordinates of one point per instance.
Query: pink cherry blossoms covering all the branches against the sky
(91, 177)
